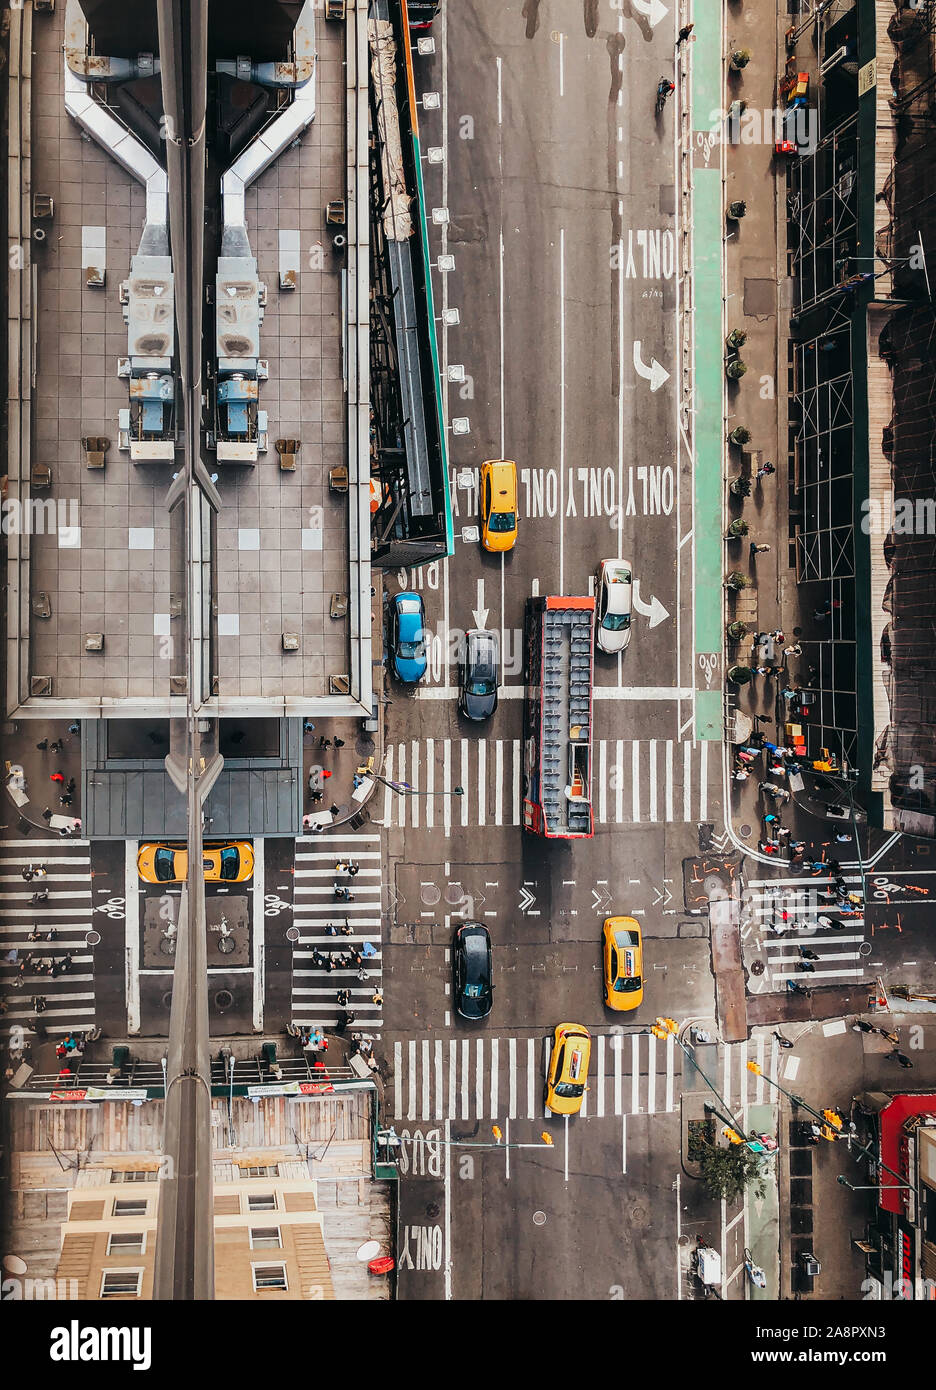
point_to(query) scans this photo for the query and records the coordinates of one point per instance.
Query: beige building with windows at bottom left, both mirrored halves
(294, 1199)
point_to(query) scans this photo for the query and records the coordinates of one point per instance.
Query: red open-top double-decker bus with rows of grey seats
(557, 717)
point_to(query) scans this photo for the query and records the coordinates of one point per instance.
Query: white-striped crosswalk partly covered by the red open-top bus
(635, 782)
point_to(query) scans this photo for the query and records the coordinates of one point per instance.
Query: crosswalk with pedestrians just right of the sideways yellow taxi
(315, 990)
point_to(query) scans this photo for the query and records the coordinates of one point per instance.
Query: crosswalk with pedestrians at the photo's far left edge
(70, 999)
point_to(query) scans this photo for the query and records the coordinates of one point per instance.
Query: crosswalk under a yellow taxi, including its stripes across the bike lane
(631, 1074)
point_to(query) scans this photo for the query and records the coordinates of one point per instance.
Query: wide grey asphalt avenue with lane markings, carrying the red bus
(560, 194)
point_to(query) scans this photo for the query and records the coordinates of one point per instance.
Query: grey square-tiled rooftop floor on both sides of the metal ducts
(111, 583)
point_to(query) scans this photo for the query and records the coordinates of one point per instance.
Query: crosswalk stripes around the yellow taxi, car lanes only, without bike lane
(494, 1078)
